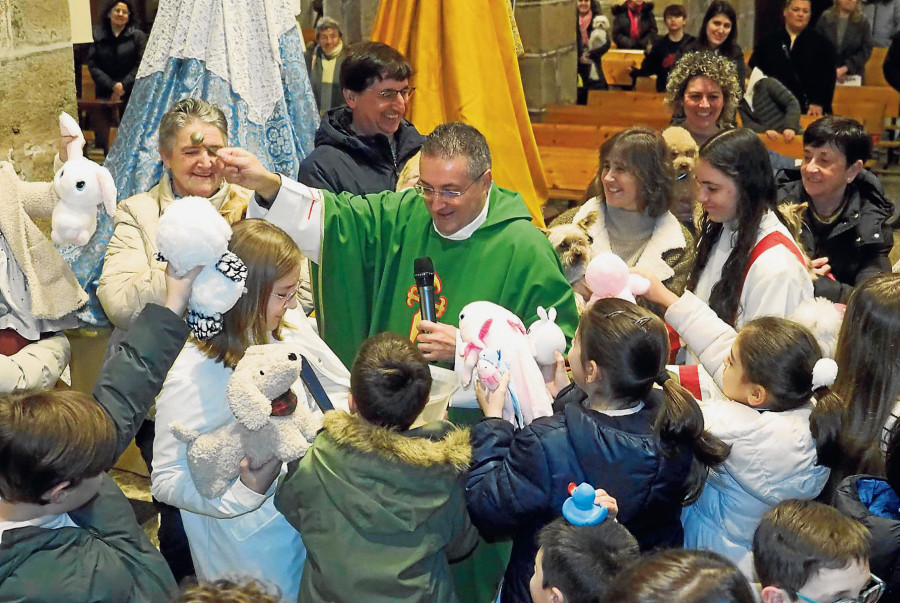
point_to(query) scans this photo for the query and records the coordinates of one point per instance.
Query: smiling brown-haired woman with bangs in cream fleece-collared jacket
(630, 216)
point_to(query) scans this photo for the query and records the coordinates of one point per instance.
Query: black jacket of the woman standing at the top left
(114, 59)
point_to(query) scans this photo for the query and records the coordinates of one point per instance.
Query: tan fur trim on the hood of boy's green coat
(417, 447)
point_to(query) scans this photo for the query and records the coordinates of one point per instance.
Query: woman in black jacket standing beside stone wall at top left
(113, 61)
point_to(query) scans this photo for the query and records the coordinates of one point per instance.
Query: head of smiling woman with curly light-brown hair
(703, 93)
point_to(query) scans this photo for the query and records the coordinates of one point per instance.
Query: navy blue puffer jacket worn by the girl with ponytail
(519, 479)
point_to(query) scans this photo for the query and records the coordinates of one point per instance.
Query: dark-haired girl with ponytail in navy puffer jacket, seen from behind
(645, 445)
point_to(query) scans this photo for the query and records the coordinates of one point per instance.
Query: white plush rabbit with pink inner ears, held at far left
(82, 185)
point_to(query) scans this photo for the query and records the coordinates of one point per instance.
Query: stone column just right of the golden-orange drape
(547, 28)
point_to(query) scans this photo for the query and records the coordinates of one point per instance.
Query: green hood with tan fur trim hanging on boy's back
(380, 481)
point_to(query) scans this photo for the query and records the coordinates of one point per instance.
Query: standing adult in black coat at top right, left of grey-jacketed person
(800, 58)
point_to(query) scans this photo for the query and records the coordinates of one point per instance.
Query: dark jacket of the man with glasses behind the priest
(346, 161)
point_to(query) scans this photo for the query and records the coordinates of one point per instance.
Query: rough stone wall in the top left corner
(36, 82)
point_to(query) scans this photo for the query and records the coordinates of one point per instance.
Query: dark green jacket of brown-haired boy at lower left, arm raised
(107, 557)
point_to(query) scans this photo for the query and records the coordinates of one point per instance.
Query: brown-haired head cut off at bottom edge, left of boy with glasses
(685, 576)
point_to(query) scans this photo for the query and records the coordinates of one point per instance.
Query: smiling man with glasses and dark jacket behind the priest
(361, 148)
